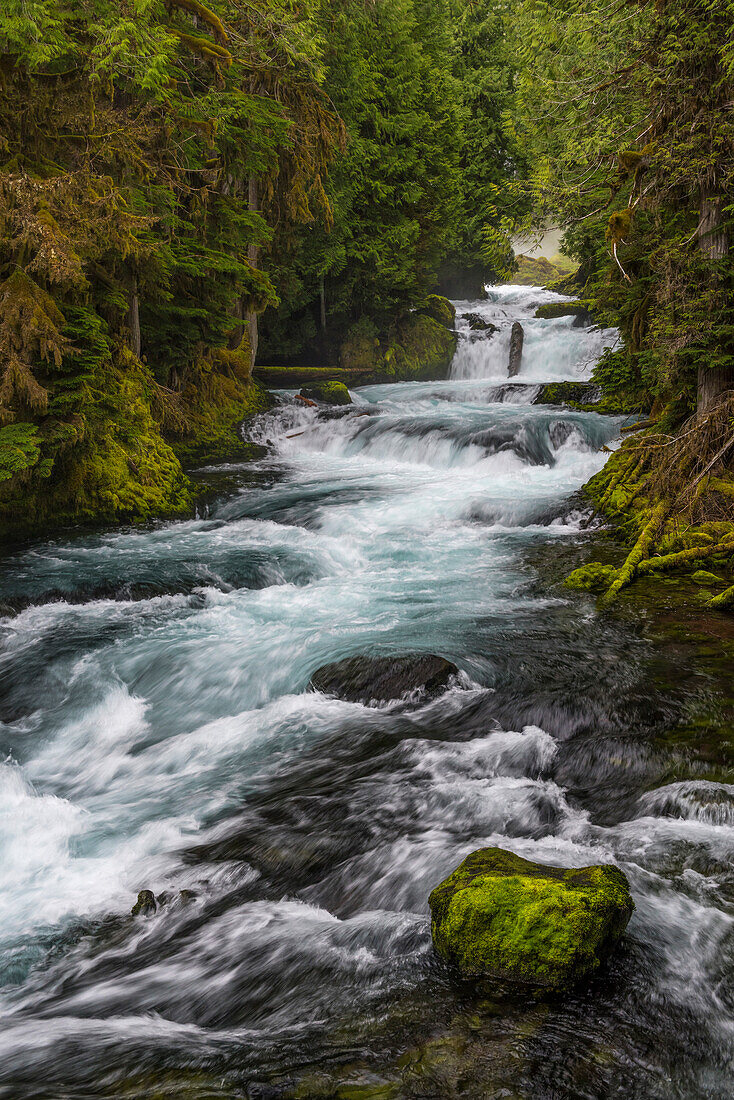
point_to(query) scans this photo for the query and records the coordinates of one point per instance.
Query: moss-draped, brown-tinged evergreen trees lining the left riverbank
(146, 151)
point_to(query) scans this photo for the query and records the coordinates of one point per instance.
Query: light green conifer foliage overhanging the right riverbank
(637, 158)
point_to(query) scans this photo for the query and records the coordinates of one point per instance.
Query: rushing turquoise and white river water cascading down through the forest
(158, 732)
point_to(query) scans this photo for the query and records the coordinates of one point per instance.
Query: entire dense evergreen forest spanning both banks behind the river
(185, 189)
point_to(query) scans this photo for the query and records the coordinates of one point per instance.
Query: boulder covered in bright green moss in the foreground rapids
(501, 917)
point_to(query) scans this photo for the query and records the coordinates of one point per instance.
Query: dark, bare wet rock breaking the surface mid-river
(381, 679)
